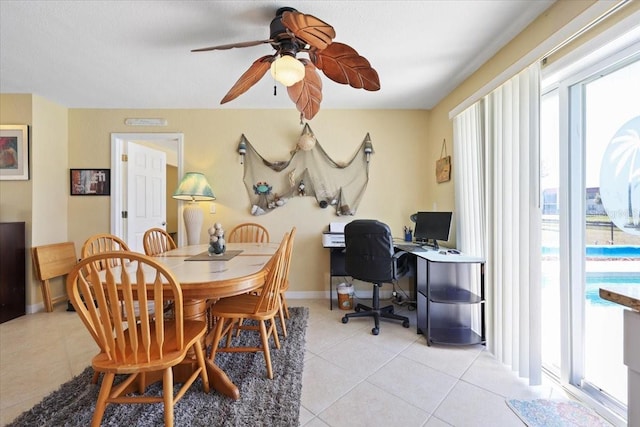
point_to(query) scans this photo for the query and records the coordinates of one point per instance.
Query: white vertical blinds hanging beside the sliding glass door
(496, 141)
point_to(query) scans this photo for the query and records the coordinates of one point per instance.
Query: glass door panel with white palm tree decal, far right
(611, 138)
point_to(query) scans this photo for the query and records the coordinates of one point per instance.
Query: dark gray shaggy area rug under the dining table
(262, 402)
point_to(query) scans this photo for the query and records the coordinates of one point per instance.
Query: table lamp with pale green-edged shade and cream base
(194, 188)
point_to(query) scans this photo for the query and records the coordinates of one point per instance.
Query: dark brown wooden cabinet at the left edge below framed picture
(12, 270)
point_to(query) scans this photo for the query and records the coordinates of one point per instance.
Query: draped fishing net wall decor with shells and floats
(309, 172)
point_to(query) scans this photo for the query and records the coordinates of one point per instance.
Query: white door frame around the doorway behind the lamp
(118, 174)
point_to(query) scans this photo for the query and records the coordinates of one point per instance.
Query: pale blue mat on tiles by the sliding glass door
(555, 413)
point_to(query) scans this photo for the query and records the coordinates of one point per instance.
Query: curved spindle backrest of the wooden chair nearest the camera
(105, 299)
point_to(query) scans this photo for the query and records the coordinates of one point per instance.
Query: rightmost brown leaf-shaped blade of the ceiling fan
(342, 64)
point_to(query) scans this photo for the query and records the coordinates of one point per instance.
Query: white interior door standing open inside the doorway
(146, 192)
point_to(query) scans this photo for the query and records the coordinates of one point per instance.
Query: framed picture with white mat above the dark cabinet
(14, 152)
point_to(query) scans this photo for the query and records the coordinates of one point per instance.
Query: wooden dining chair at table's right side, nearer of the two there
(261, 307)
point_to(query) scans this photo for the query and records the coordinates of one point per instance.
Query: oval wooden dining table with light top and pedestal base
(205, 278)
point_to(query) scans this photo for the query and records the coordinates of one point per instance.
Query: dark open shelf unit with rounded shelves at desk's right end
(450, 299)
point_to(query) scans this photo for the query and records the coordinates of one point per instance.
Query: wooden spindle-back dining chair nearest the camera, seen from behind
(105, 300)
